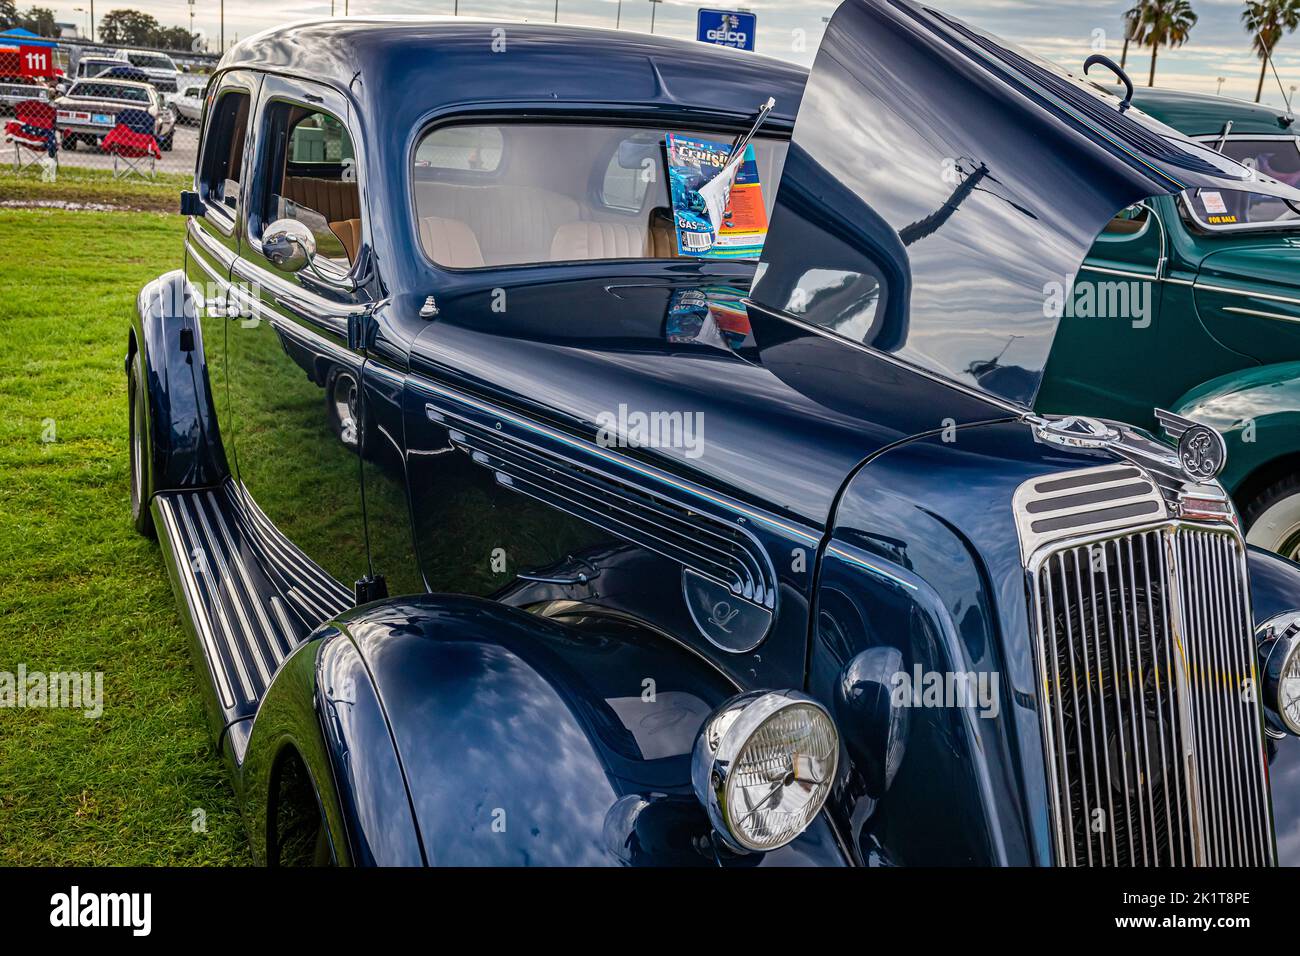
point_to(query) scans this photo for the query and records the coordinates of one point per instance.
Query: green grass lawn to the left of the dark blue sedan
(80, 590)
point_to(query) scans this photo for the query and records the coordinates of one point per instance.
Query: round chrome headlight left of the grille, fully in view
(764, 767)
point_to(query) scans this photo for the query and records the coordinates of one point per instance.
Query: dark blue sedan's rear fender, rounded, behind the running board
(183, 426)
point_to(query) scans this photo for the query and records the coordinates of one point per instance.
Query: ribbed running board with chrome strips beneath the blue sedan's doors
(249, 594)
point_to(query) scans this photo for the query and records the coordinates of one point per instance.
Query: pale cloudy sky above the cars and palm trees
(1063, 31)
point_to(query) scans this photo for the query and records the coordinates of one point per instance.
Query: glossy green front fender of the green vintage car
(1258, 413)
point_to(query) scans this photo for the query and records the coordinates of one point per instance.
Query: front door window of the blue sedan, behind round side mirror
(311, 178)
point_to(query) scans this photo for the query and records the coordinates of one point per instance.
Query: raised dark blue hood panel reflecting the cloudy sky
(943, 191)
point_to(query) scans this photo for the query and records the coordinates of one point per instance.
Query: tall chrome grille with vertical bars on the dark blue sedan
(1147, 671)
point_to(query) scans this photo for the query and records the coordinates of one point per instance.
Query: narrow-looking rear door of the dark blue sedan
(213, 239)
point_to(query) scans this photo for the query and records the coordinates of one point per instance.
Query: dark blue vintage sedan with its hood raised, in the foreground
(517, 524)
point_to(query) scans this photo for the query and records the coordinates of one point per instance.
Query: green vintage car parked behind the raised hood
(1193, 304)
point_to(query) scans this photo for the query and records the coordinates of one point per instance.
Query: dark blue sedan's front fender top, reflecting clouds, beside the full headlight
(530, 742)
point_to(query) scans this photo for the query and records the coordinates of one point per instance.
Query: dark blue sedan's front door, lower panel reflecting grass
(293, 373)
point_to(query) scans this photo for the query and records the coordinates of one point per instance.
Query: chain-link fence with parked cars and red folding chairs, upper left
(124, 111)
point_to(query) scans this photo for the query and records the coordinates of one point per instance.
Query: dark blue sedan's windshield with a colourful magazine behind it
(539, 193)
